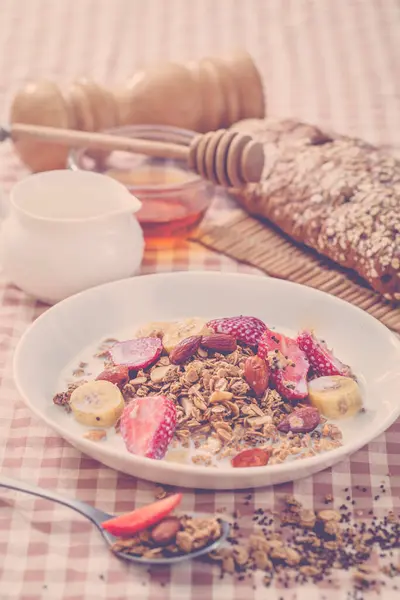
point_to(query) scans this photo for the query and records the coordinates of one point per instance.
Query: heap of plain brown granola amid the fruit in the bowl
(217, 412)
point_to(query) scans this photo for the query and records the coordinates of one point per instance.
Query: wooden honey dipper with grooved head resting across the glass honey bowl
(226, 158)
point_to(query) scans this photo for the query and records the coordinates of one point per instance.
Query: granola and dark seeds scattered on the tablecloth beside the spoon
(298, 546)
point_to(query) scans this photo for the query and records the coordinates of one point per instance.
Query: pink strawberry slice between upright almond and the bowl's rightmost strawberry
(290, 377)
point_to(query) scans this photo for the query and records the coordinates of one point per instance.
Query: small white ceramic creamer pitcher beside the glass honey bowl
(67, 231)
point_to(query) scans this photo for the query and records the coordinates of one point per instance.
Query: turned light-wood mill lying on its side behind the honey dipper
(201, 96)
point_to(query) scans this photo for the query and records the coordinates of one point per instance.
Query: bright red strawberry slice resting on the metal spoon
(142, 517)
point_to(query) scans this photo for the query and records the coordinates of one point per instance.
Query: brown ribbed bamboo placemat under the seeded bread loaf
(259, 244)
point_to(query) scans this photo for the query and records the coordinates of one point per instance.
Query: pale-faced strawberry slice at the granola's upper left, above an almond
(136, 354)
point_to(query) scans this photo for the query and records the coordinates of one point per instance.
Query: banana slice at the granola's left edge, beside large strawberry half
(97, 403)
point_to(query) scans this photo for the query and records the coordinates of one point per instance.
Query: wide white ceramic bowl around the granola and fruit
(65, 334)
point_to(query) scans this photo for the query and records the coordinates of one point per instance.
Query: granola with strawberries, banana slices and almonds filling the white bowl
(220, 390)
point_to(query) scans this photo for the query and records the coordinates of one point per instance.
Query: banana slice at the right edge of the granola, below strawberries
(336, 397)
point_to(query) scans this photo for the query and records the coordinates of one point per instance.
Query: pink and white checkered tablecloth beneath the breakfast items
(332, 62)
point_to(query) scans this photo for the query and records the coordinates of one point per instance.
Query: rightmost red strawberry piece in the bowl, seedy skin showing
(320, 357)
